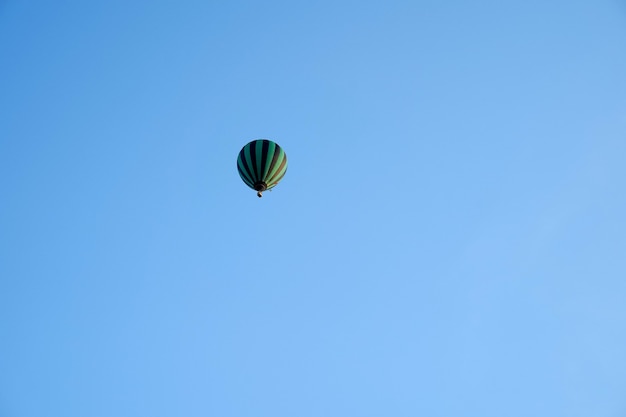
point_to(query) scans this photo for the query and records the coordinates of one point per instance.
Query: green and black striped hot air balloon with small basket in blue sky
(261, 165)
